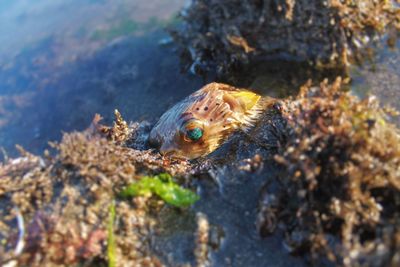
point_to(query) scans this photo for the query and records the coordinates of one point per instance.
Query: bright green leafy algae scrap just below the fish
(163, 186)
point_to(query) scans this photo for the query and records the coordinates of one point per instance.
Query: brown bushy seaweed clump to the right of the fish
(339, 195)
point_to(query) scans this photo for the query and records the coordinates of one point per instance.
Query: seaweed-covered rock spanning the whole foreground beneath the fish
(335, 195)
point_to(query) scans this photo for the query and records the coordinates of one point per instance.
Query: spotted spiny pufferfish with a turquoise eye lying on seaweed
(200, 123)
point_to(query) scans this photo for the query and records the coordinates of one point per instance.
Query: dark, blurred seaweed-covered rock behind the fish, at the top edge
(224, 34)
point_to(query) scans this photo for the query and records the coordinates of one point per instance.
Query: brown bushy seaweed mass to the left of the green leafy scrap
(55, 209)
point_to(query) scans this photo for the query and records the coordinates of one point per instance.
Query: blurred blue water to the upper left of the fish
(63, 61)
